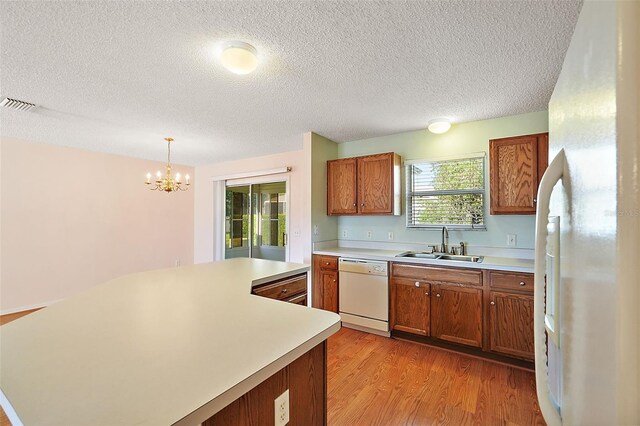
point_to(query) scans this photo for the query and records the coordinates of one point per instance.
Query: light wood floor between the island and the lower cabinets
(375, 380)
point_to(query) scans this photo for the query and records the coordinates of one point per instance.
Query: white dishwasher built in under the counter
(364, 295)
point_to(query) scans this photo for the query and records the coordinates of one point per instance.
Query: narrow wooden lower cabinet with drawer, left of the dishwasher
(325, 283)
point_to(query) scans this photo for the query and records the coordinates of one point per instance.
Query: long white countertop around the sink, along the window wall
(489, 262)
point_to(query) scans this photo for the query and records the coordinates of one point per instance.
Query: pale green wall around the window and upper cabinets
(463, 138)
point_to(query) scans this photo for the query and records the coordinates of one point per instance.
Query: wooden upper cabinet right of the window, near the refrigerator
(516, 167)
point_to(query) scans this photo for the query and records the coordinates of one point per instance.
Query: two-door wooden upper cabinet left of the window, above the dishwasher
(368, 185)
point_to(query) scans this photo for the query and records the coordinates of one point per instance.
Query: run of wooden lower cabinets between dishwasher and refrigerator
(487, 313)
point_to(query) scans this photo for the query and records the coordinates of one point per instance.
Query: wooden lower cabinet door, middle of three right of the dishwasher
(456, 314)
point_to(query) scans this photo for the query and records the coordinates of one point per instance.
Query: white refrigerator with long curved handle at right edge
(587, 263)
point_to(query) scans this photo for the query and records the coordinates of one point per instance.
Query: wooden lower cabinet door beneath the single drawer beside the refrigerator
(511, 324)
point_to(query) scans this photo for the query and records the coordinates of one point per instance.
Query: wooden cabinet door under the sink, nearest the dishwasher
(410, 306)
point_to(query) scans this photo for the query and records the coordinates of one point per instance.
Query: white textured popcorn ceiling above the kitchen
(119, 76)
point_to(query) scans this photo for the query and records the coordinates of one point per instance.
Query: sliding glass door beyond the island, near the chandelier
(256, 220)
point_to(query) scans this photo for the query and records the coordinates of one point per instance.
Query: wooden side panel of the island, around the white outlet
(306, 380)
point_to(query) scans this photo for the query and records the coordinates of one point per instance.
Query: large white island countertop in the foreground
(160, 347)
